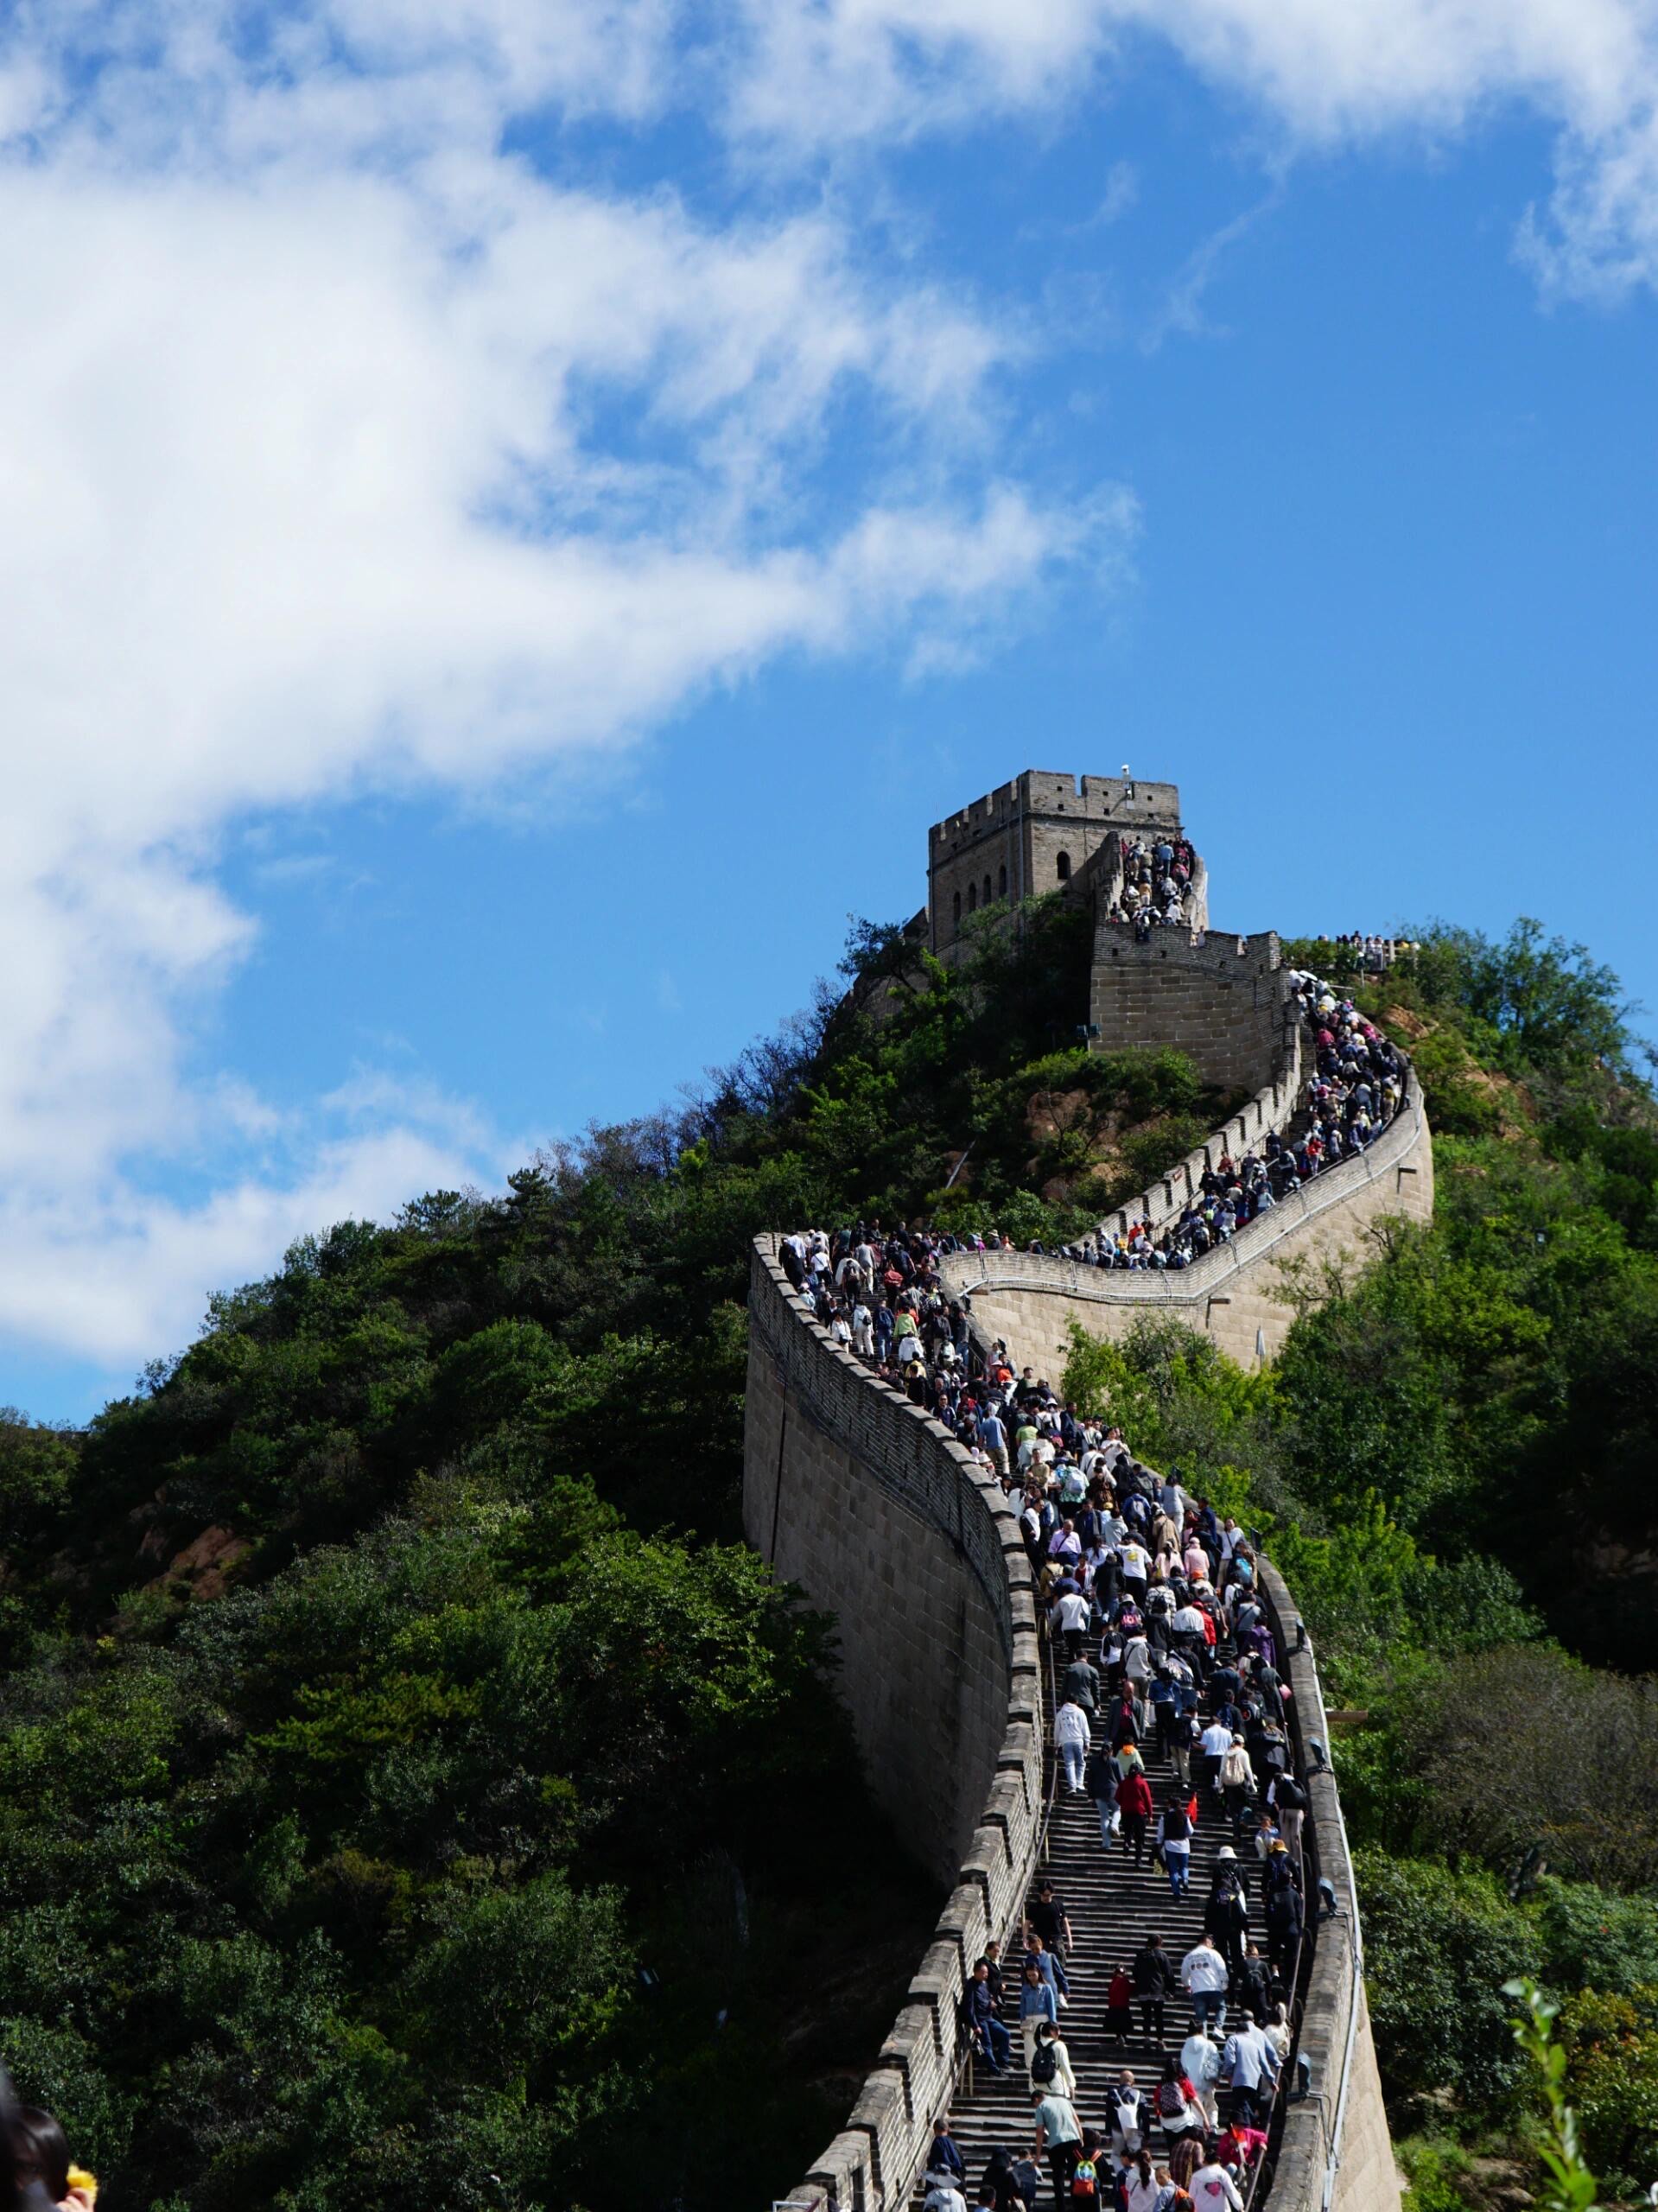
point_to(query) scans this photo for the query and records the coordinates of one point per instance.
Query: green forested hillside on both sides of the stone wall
(403, 1762)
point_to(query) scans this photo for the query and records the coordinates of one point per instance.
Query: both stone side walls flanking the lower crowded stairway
(883, 1519)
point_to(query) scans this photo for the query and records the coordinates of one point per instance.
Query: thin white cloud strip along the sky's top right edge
(1325, 72)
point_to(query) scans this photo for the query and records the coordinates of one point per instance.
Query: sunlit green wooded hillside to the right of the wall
(1454, 1463)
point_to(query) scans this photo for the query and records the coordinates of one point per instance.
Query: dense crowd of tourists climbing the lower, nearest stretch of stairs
(1162, 1645)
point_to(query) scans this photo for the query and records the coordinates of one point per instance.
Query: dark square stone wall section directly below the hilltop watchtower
(1219, 999)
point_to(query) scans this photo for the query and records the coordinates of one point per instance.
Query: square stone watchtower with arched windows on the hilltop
(1033, 835)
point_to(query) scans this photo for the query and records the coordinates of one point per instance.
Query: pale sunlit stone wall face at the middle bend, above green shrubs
(1237, 1293)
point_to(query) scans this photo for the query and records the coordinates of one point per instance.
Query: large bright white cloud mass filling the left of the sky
(302, 494)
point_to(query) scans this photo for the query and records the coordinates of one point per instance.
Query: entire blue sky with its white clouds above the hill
(523, 517)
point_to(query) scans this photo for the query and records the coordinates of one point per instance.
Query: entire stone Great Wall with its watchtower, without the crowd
(883, 1519)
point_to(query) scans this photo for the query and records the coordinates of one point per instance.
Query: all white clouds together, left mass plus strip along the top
(348, 450)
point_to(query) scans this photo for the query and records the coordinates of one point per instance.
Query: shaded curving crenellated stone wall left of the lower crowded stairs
(881, 1516)
